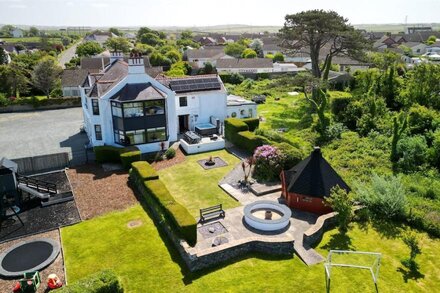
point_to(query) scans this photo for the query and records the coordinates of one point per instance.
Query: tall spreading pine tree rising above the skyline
(313, 30)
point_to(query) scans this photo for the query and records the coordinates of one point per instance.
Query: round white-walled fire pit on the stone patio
(267, 215)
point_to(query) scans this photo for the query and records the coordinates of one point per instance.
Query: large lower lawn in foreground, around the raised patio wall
(145, 263)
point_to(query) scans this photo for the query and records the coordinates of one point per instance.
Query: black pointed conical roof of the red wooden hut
(313, 177)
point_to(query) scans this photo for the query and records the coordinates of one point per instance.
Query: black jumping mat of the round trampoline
(27, 256)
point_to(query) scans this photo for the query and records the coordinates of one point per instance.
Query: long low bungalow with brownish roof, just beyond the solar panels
(243, 66)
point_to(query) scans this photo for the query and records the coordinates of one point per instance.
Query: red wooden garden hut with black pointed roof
(307, 185)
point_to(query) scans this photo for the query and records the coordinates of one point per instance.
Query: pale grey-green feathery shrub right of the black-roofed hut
(385, 197)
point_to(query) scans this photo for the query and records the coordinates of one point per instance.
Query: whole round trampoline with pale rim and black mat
(28, 256)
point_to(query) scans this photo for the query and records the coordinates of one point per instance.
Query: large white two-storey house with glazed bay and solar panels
(123, 105)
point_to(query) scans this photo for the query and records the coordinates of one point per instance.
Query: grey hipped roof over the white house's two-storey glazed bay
(138, 92)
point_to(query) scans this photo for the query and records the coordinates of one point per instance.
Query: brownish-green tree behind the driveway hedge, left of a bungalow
(45, 75)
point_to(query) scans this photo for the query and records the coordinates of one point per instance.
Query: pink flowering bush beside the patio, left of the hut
(268, 163)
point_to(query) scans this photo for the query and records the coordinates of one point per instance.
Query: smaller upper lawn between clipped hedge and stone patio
(197, 188)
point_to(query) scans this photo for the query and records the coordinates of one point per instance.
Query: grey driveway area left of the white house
(42, 132)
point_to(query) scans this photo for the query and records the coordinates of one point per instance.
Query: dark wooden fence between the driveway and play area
(31, 165)
